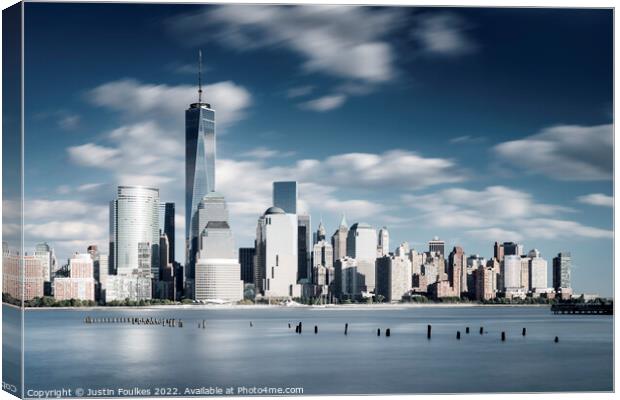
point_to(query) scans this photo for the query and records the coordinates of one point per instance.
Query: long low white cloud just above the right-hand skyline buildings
(499, 213)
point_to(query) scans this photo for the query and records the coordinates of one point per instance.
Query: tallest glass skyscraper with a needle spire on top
(199, 169)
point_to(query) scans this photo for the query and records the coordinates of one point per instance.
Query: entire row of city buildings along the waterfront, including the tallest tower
(287, 261)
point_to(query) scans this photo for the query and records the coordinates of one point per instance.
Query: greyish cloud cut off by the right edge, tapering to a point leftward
(564, 152)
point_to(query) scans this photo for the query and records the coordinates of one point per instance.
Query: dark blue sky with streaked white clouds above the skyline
(393, 110)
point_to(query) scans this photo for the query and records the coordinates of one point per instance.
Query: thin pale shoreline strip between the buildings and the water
(232, 307)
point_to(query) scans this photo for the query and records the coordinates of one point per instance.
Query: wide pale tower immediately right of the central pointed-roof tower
(362, 245)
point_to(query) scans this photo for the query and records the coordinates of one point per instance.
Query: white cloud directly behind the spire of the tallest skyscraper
(135, 99)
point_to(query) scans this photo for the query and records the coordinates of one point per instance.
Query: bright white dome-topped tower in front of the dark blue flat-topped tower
(277, 248)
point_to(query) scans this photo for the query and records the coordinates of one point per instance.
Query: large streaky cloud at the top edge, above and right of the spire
(345, 42)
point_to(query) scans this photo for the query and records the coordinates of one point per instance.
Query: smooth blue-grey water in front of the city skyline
(62, 351)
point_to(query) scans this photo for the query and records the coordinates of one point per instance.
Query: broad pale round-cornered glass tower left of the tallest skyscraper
(134, 234)
